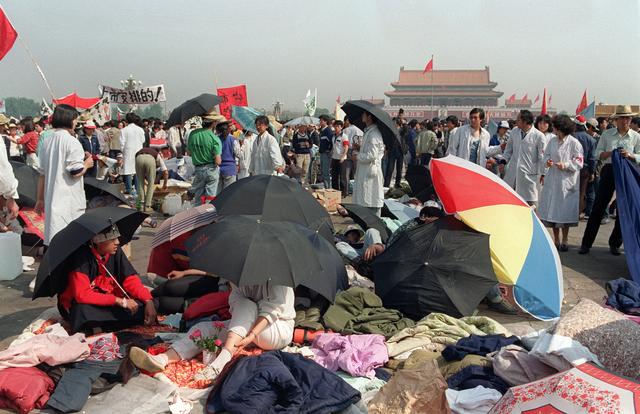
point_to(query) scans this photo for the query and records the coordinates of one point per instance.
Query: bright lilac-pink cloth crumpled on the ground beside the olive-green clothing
(358, 355)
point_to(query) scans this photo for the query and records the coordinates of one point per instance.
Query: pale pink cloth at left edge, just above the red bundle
(51, 349)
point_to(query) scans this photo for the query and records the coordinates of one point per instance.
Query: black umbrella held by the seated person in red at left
(52, 273)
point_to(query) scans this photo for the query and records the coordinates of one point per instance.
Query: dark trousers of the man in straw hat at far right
(605, 192)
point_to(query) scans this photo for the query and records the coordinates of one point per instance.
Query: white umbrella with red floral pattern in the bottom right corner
(583, 389)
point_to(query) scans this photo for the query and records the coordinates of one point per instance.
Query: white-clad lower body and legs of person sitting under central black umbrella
(262, 315)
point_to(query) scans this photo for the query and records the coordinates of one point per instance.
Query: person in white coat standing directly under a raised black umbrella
(367, 189)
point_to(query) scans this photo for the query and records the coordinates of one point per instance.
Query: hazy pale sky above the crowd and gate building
(349, 48)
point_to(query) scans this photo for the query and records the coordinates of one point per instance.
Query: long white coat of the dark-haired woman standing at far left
(64, 198)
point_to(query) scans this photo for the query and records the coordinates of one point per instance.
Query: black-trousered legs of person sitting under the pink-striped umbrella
(170, 296)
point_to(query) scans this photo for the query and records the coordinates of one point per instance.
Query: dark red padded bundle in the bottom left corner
(24, 389)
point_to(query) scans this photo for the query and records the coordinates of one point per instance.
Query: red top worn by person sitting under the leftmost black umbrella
(103, 291)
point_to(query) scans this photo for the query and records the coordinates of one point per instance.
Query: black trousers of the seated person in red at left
(84, 317)
